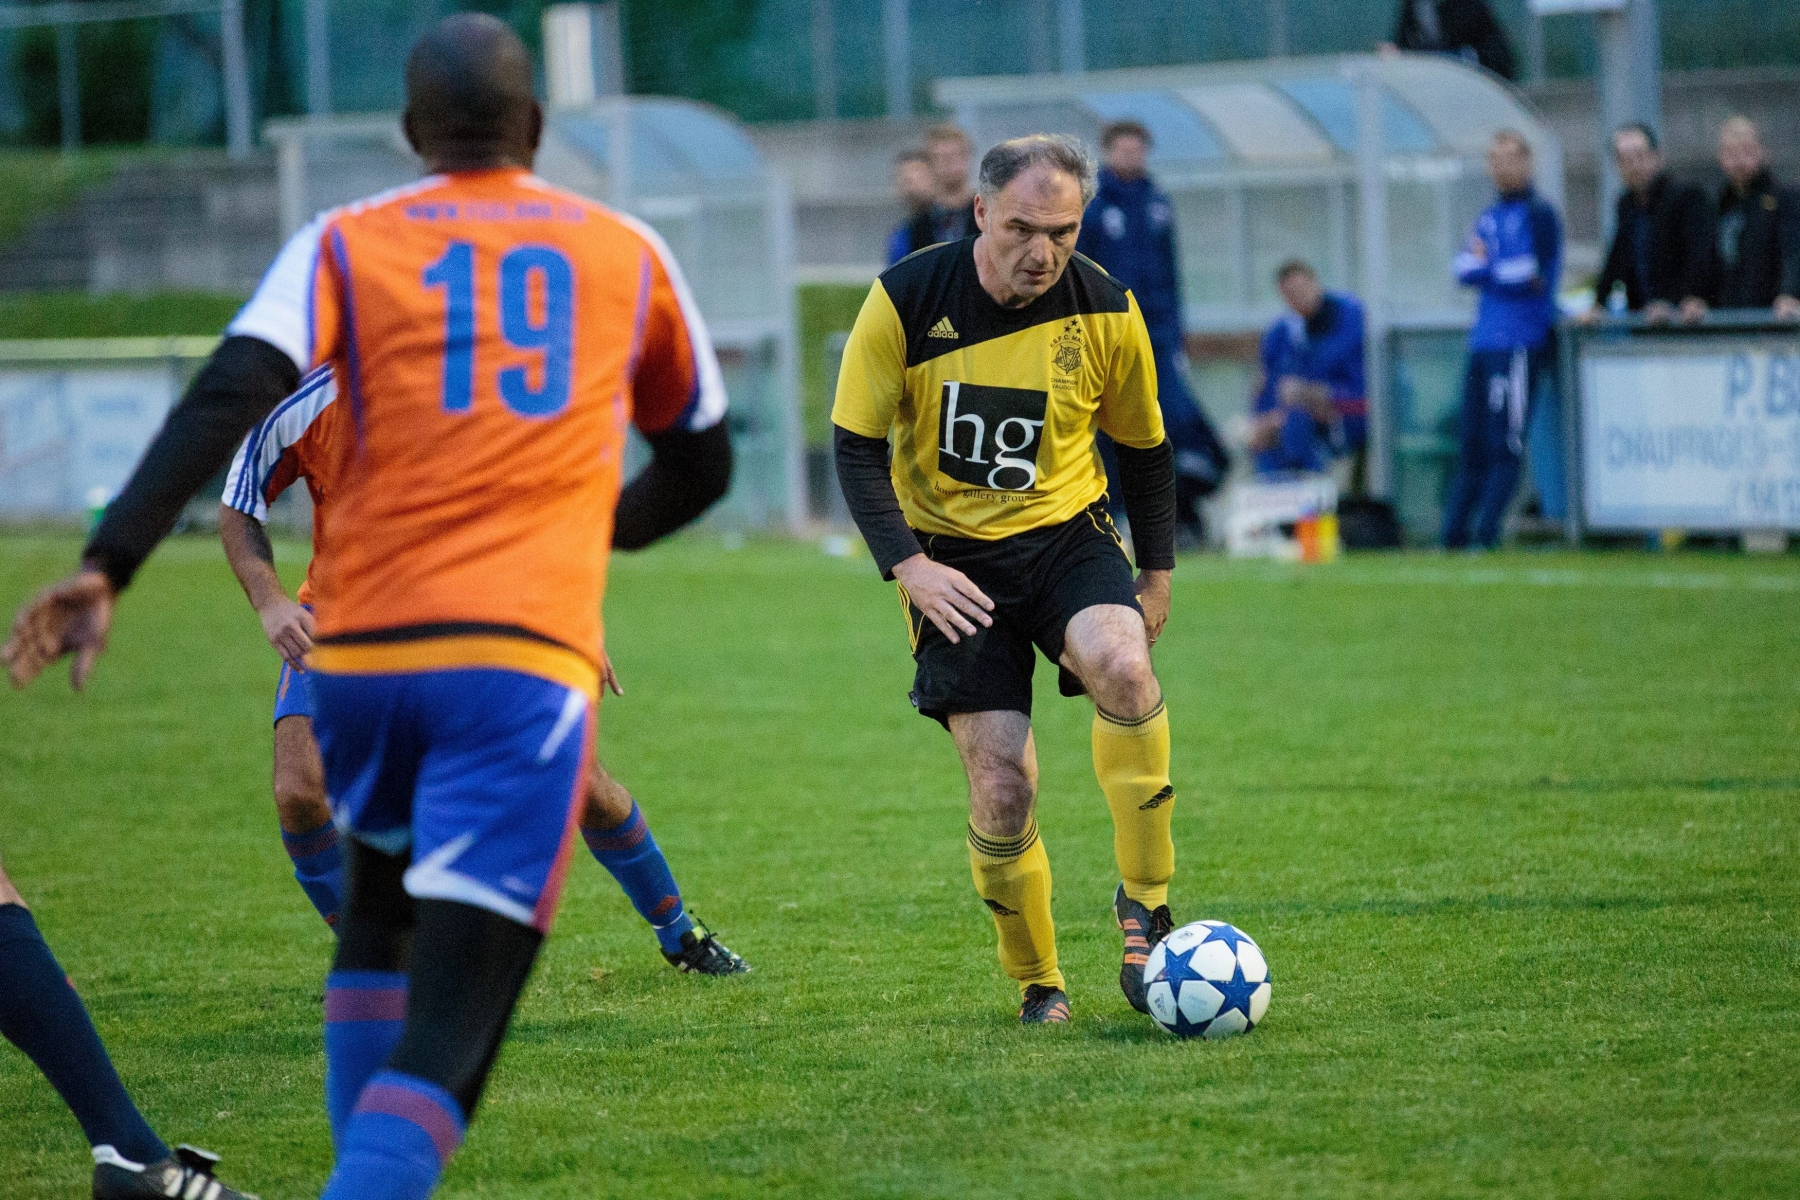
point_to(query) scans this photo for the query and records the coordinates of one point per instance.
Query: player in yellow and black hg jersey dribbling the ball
(993, 363)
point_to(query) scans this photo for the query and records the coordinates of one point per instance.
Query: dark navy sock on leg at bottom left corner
(42, 1016)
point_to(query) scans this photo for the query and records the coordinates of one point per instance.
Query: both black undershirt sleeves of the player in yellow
(1147, 487)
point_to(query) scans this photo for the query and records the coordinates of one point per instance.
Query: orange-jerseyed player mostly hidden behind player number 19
(300, 443)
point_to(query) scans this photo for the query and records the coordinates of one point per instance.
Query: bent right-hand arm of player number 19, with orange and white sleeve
(681, 413)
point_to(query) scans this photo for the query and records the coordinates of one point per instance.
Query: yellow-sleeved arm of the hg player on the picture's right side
(1147, 467)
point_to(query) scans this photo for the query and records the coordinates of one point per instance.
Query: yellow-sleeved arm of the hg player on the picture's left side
(868, 395)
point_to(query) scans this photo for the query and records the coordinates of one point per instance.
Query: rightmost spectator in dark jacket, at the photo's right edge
(1758, 256)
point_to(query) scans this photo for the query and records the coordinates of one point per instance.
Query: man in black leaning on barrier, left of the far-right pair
(1662, 242)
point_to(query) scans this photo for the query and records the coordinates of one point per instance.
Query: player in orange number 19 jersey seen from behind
(494, 339)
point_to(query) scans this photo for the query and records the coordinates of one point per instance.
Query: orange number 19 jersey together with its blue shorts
(485, 343)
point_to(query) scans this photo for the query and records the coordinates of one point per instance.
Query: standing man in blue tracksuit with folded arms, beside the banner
(1515, 256)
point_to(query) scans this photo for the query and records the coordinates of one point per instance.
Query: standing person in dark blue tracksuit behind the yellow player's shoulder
(1129, 229)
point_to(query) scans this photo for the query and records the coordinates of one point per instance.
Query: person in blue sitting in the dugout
(1311, 406)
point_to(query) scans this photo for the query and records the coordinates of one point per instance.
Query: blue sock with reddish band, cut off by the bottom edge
(399, 1140)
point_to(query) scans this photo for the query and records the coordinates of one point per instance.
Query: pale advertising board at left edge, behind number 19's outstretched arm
(71, 436)
